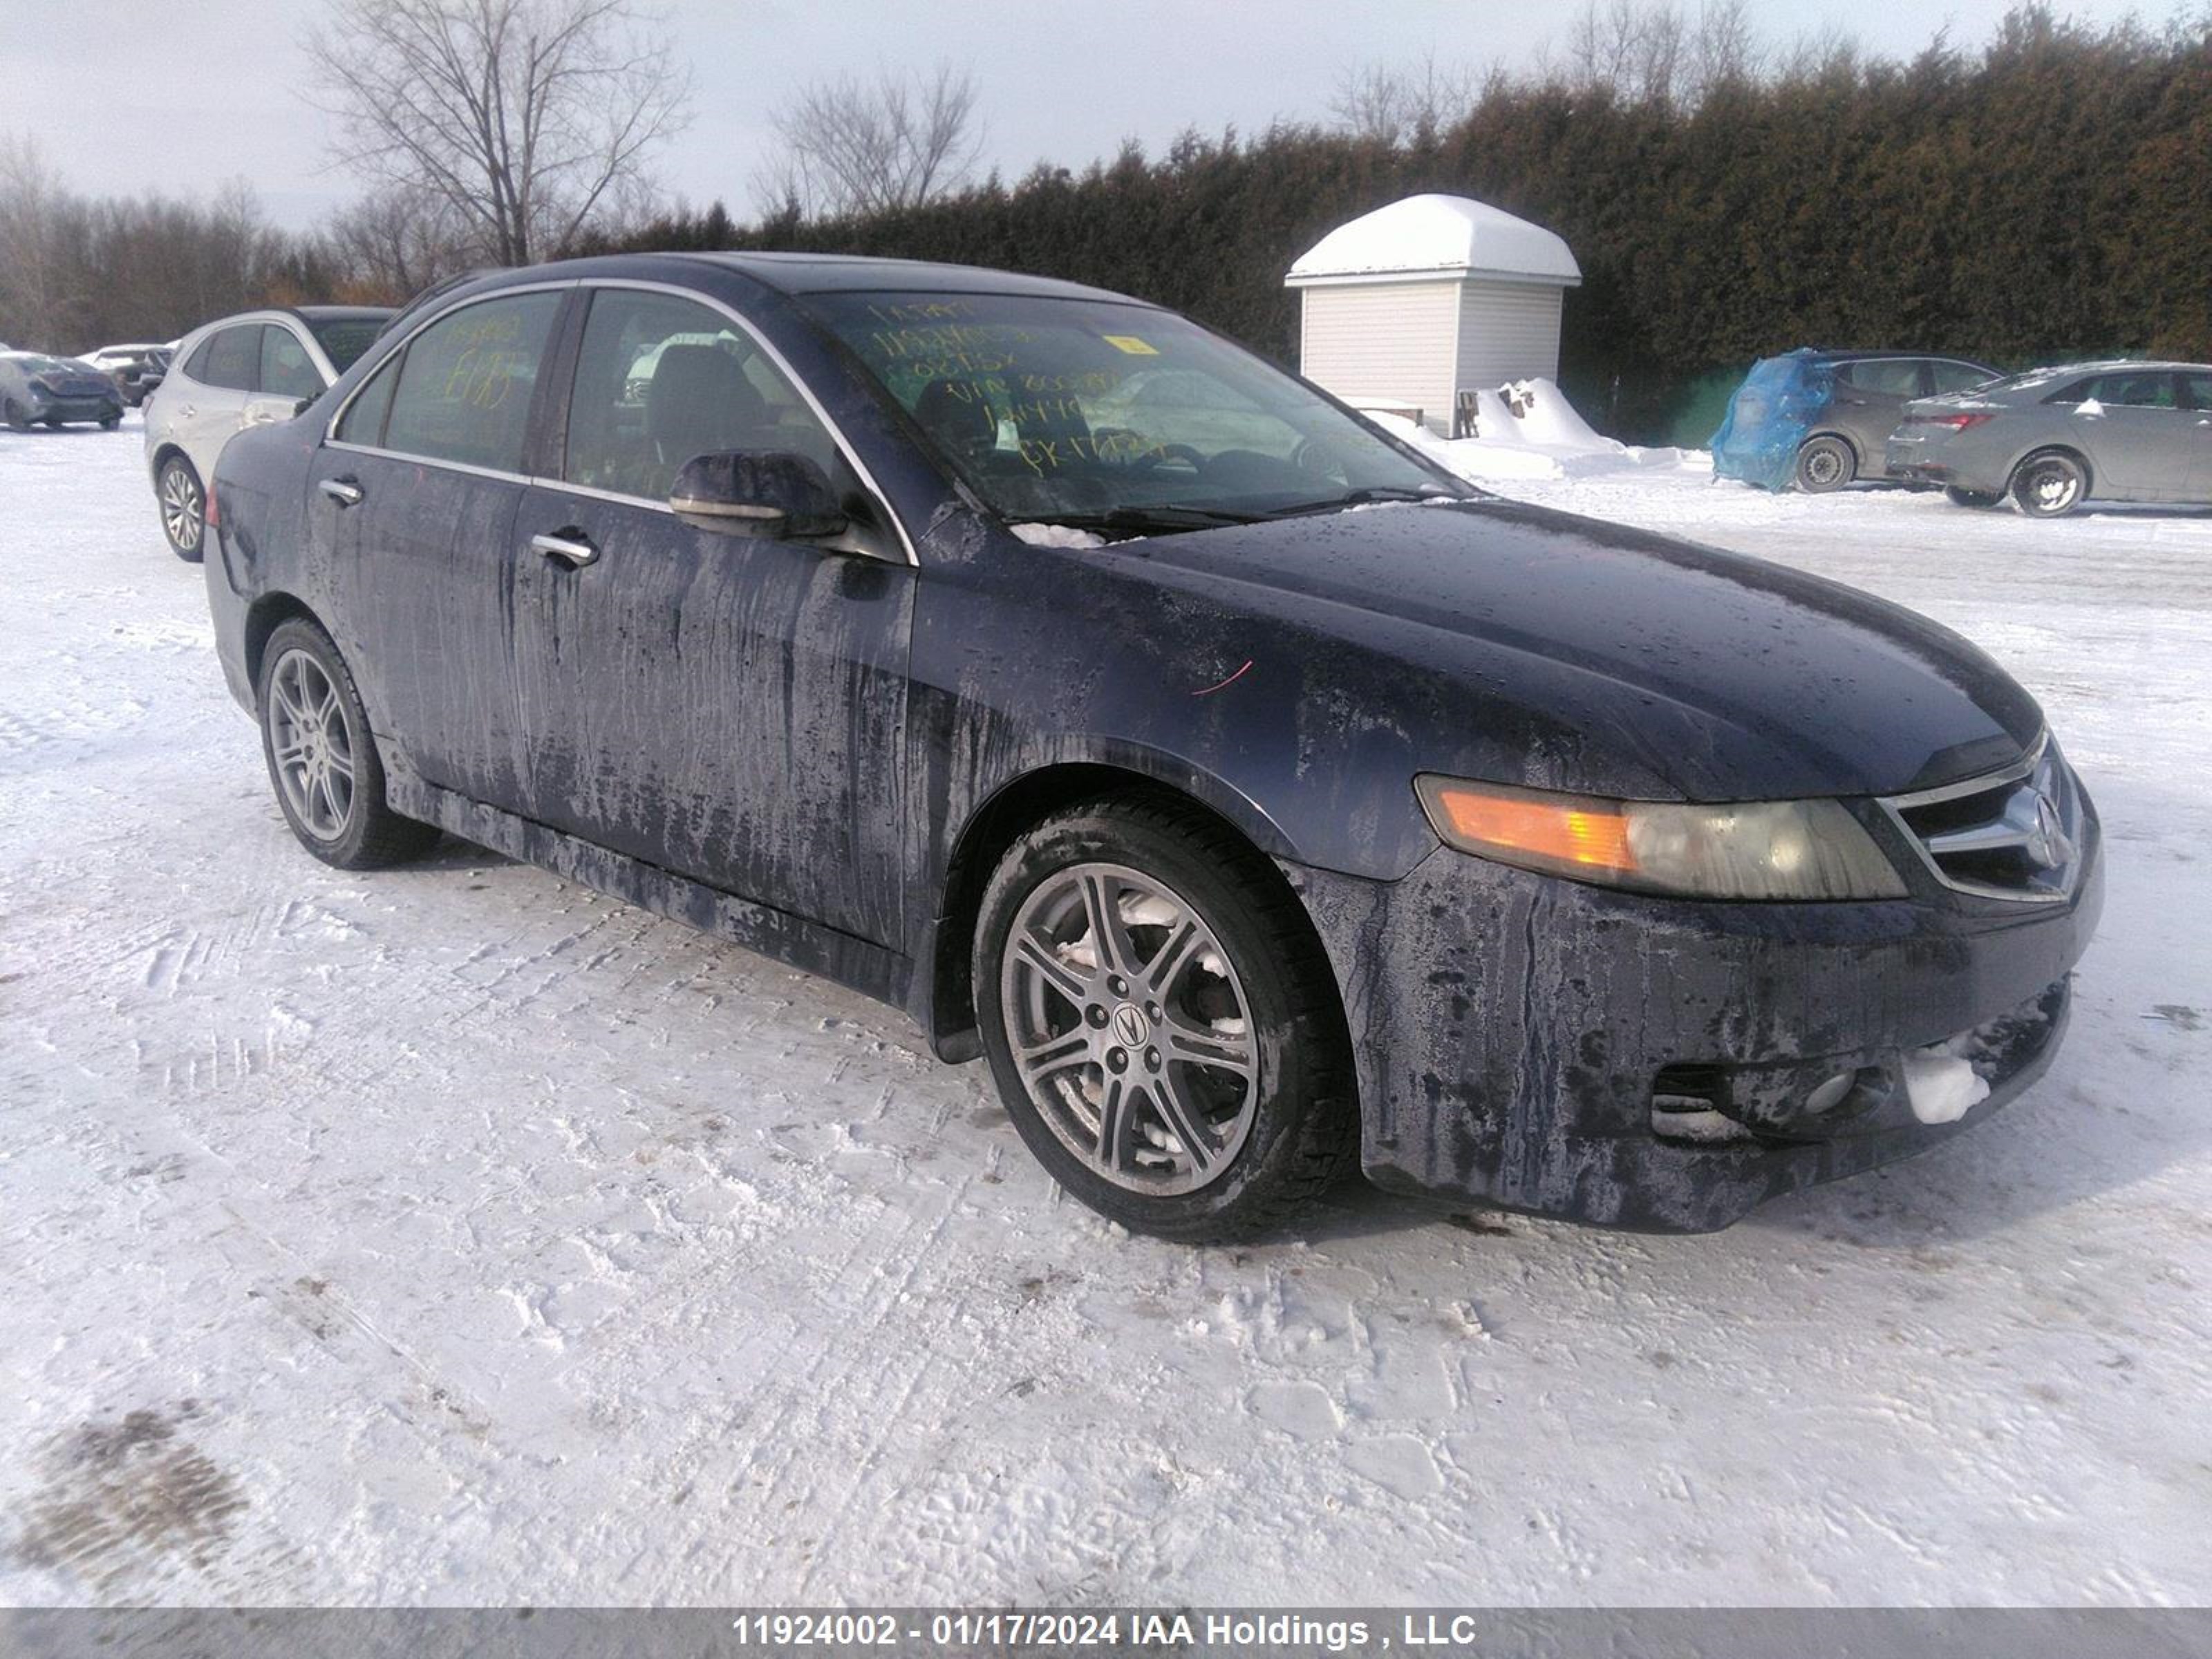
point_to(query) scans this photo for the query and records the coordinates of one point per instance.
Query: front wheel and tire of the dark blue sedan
(1238, 1050)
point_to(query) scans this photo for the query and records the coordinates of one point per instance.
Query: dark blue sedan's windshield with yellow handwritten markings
(1100, 415)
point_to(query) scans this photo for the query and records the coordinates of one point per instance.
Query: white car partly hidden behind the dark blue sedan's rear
(240, 373)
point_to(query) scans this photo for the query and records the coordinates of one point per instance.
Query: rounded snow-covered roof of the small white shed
(1437, 238)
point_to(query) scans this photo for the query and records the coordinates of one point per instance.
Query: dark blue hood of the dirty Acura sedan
(1521, 645)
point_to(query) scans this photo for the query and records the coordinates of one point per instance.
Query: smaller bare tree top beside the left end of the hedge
(868, 147)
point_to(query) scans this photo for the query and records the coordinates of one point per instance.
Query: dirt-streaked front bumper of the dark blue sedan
(1512, 1032)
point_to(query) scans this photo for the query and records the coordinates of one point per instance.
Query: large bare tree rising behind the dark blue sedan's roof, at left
(528, 118)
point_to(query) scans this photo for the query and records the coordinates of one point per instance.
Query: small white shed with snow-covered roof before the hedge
(1428, 298)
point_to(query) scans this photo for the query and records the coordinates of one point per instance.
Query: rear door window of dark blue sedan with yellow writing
(466, 384)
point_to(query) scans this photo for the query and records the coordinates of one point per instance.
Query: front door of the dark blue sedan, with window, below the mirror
(722, 707)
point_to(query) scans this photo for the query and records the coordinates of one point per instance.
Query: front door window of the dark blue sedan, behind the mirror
(662, 379)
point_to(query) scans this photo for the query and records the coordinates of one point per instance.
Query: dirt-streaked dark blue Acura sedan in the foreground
(1519, 857)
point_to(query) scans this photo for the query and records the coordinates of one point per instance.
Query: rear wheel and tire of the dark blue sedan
(331, 784)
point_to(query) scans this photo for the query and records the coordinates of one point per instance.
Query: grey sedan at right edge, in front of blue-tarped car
(2054, 439)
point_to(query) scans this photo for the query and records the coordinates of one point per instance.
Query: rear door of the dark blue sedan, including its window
(415, 497)
